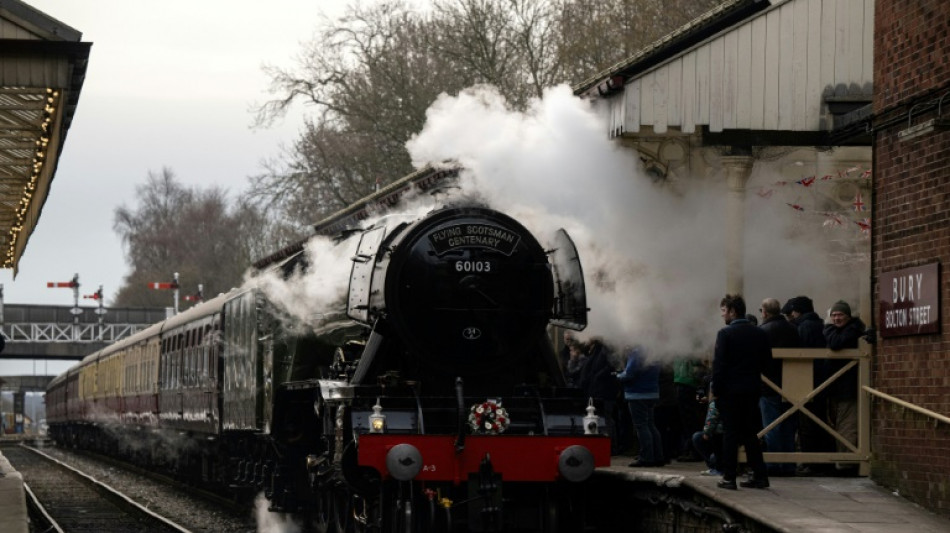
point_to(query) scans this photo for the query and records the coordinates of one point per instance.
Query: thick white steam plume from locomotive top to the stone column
(652, 258)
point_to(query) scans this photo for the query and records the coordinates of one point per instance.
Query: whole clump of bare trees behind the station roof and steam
(372, 75)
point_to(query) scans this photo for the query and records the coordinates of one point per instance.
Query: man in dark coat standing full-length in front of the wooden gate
(742, 352)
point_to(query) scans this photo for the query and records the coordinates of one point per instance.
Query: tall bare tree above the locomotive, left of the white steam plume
(371, 77)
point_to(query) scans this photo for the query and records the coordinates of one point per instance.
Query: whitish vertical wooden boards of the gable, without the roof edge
(768, 73)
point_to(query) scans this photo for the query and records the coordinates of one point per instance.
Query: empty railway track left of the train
(71, 501)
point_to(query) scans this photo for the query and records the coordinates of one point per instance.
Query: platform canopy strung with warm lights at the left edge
(42, 68)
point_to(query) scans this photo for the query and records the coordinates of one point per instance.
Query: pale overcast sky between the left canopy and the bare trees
(169, 84)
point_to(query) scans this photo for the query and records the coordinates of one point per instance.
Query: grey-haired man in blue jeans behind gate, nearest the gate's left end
(782, 334)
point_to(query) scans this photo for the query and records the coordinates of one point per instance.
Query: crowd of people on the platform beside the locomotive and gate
(696, 408)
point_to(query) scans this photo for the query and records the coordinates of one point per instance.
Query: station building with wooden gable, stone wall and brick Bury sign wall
(835, 112)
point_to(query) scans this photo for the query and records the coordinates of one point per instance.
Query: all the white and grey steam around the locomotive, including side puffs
(653, 256)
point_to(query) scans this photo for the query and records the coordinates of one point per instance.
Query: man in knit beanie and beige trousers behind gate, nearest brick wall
(843, 333)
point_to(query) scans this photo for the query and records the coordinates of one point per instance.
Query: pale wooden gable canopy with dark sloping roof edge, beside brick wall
(749, 72)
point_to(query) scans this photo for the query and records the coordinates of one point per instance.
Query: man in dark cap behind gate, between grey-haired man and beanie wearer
(813, 439)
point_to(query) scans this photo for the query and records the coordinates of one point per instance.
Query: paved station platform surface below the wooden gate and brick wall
(800, 504)
